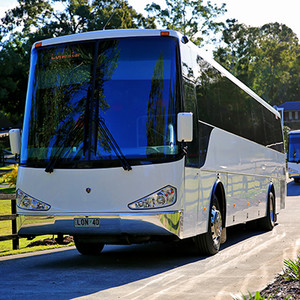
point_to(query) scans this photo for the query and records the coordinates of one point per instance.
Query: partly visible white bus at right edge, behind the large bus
(294, 155)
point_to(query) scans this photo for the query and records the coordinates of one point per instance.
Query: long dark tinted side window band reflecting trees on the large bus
(223, 104)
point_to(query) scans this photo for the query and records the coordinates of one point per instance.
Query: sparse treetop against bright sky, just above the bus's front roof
(191, 18)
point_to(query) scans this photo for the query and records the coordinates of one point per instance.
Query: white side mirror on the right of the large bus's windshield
(185, 127)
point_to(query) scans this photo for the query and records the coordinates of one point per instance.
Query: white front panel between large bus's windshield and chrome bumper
(111, 189)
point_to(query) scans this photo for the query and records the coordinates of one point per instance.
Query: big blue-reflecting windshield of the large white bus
(128, 86)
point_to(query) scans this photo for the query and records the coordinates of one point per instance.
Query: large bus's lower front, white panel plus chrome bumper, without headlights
(111, 190)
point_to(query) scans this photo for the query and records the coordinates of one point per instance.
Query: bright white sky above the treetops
(249, 12)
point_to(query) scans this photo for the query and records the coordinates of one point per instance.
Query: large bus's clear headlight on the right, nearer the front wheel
(162, 198)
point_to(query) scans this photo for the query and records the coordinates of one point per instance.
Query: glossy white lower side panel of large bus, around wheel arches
(245, 169)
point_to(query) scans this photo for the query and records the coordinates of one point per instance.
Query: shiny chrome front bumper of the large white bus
(137, 224)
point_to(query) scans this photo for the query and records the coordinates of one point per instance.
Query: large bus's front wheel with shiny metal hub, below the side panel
(209, 242)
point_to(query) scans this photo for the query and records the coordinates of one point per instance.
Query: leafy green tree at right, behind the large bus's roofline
(266, 58)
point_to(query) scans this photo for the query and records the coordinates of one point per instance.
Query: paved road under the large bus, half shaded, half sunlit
(247, 262)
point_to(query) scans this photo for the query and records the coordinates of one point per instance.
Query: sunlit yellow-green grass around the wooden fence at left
(6, 247)
